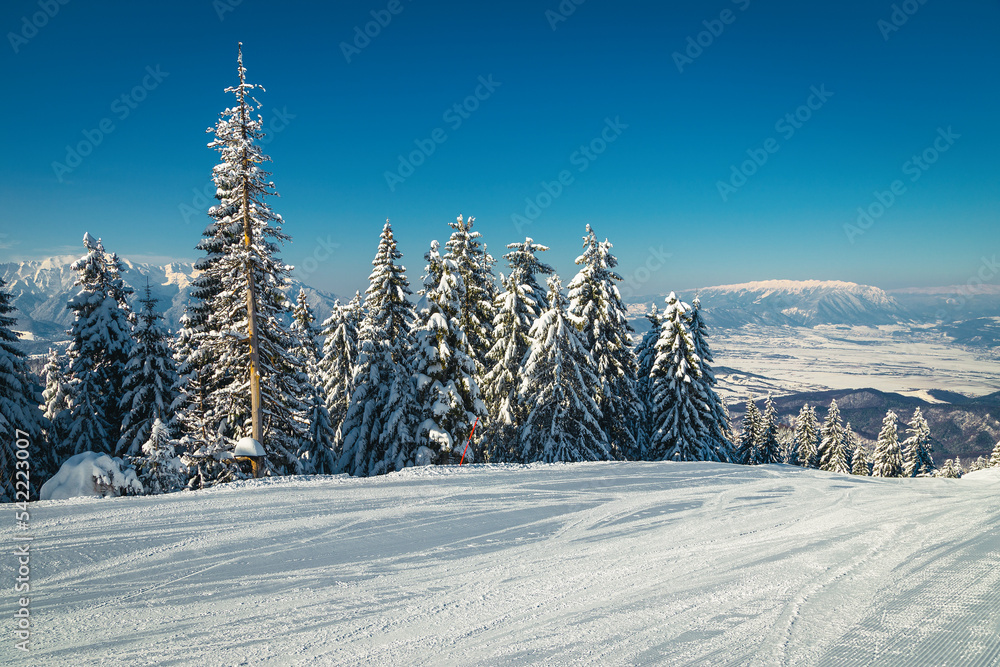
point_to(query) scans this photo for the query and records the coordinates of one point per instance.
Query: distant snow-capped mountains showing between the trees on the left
(42, 289)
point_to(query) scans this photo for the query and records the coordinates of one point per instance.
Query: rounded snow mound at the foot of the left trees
(91, 474)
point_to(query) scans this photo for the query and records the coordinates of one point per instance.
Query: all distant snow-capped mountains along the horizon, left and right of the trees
(42, 289)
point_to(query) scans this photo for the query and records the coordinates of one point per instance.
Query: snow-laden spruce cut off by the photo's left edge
(19, 406)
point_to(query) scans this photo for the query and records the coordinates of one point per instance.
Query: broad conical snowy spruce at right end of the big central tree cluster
(680, 411)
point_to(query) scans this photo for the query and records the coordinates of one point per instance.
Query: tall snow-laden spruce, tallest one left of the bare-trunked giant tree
(100, 342)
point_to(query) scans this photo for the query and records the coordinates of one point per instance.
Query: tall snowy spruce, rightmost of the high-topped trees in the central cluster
(596, 308)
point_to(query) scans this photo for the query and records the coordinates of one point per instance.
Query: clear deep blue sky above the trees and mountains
(674, 128)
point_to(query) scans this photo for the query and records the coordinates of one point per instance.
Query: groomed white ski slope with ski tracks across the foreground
(562, 564)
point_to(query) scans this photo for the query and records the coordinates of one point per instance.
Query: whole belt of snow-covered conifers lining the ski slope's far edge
(479, 361)
